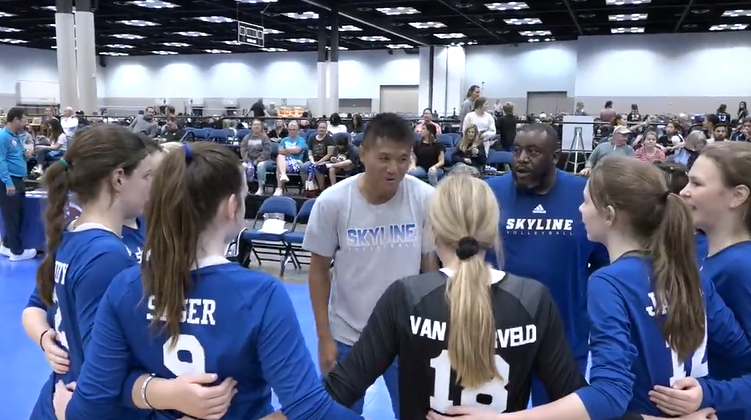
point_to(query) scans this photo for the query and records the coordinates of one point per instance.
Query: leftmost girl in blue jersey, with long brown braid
(108, 168)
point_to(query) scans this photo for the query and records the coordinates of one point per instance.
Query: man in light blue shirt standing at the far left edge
(12, 189)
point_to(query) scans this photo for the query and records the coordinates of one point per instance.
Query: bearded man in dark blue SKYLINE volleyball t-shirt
(542, 233)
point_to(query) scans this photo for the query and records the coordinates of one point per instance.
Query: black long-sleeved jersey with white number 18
(410, 322)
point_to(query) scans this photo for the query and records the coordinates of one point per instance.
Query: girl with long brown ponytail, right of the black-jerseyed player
(650, 310)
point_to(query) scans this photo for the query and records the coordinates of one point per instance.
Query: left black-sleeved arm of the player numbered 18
(372, 354)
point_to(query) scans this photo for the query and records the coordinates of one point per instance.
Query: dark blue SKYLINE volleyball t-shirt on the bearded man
(543, 238)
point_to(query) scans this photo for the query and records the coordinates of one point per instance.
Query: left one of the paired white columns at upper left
(65, 35)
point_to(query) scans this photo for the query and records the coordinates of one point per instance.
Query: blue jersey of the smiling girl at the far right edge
(730, 271)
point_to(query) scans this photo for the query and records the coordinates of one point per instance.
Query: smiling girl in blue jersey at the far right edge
(718, 195)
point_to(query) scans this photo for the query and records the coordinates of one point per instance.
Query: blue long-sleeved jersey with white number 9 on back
(237, 323)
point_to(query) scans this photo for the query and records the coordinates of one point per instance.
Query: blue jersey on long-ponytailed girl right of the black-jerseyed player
(629, 353)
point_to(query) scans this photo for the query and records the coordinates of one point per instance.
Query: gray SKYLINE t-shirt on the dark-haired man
(372, 247)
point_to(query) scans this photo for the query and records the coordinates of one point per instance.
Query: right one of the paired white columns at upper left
(86, 56)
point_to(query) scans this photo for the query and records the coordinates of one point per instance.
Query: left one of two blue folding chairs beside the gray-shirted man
(264, 244)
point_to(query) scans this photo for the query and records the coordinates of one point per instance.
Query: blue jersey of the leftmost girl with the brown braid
(87, 260)
